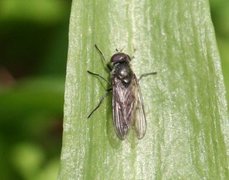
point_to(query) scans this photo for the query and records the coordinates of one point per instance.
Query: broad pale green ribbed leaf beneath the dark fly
(187, 120)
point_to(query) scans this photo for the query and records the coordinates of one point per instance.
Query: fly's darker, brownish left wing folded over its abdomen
(123, 103)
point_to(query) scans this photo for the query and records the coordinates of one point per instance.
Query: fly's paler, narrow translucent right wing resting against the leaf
(139, 114)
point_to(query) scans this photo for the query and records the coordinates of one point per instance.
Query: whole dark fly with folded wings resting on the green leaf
(127, 103)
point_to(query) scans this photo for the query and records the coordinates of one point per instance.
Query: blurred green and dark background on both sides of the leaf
(33, 53)
